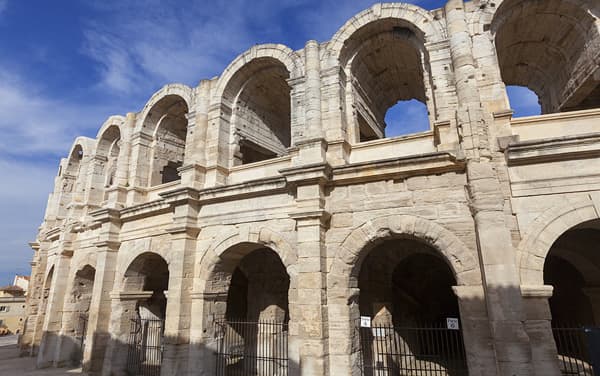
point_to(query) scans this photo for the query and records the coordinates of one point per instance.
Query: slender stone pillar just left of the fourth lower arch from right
(97, 334)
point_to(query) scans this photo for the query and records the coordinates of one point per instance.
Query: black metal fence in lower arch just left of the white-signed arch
(251, 348)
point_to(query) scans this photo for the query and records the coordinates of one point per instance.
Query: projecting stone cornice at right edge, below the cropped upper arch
(553, 149)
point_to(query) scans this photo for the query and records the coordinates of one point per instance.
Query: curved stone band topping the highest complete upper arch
(428, 27)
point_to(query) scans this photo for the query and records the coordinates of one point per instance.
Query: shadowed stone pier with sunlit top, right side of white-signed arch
(475, 328)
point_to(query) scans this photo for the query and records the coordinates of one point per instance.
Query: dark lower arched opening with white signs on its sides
(406, 290)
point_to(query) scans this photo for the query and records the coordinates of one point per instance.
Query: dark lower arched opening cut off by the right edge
(572, 267)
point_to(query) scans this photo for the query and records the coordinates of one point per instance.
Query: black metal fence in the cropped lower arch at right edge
(578, 350)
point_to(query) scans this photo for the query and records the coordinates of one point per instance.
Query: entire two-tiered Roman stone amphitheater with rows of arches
(261, 223)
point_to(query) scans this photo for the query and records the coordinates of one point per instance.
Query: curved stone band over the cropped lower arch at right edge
(544, 231)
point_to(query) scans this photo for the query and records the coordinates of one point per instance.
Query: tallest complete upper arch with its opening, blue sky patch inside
(384, 53)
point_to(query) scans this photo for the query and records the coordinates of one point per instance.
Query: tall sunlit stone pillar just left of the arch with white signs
(309, 310)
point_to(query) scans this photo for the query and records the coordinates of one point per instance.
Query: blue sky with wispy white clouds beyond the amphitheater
(65, 68)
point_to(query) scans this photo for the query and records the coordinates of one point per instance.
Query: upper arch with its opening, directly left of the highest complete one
(255, 123)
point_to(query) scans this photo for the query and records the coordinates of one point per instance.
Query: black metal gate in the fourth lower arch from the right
(145, 347)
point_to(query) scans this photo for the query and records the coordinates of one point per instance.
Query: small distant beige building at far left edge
(12, 305)
